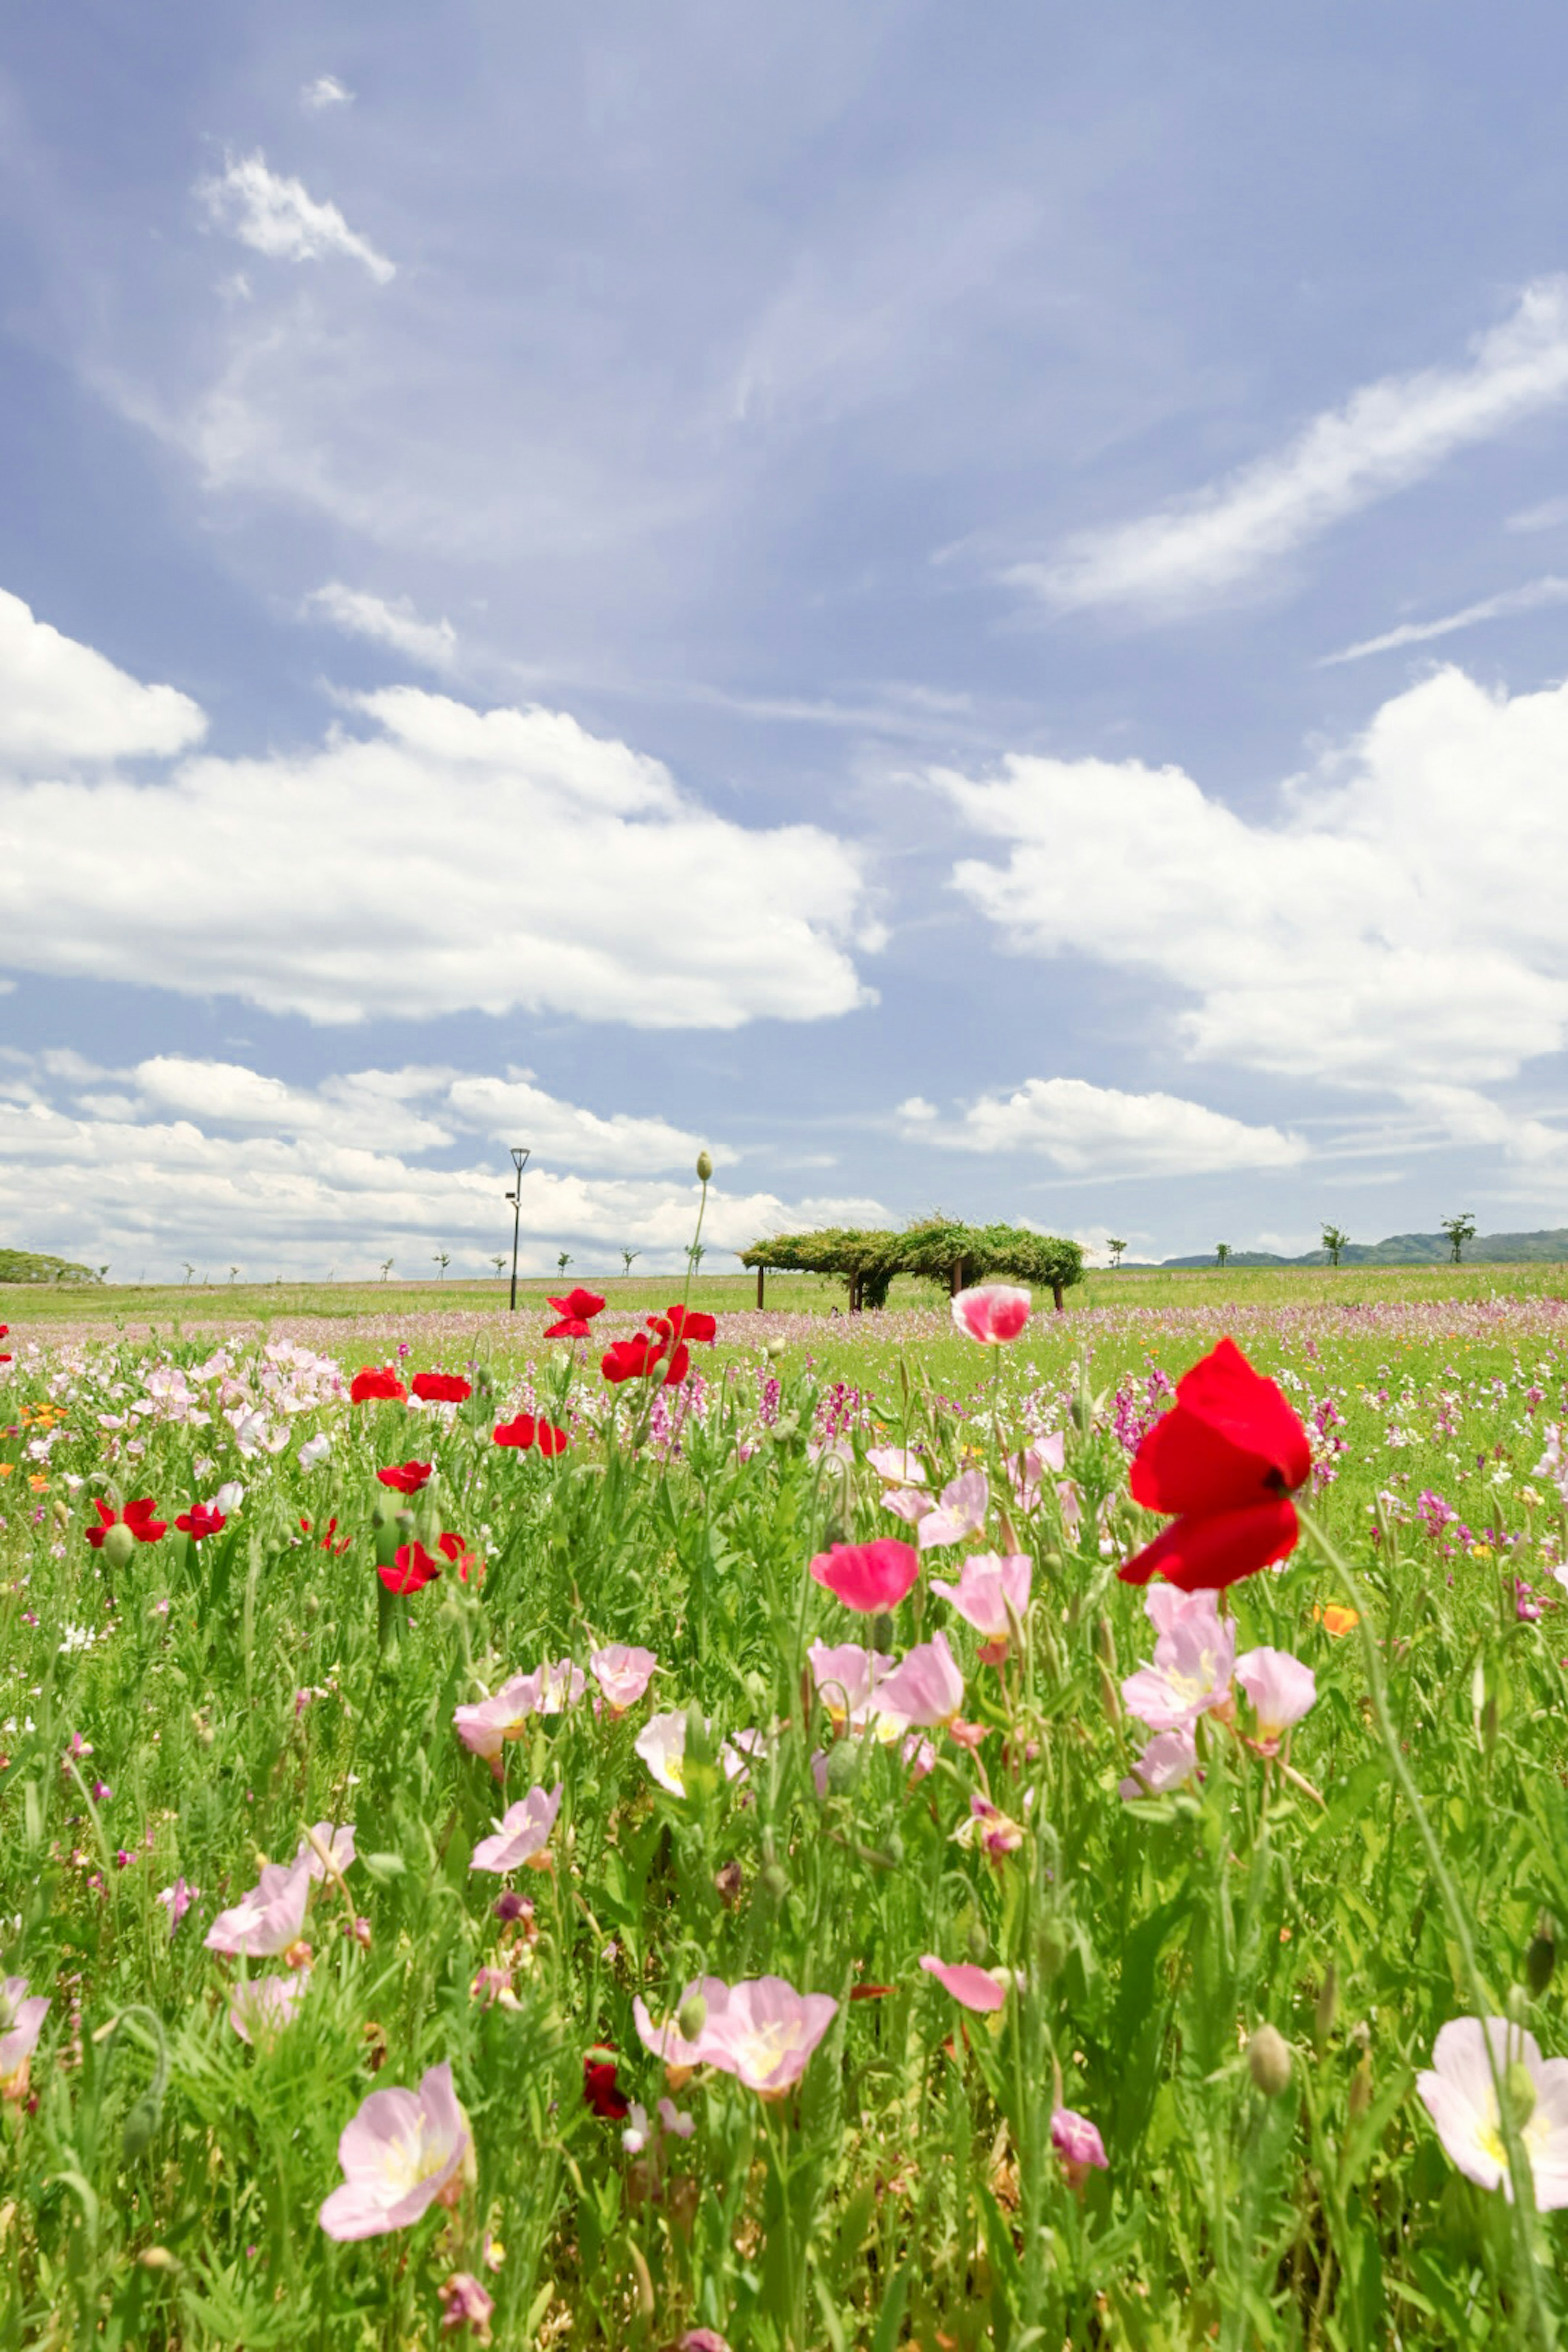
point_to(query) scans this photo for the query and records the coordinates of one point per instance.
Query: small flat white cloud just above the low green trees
(1104, 1132)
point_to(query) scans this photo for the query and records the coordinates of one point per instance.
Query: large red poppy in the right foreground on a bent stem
(1224, 1459)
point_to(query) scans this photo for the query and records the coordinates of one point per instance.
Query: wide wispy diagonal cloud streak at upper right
(1388, 436)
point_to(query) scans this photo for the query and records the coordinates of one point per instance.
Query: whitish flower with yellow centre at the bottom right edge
(1461, 2099)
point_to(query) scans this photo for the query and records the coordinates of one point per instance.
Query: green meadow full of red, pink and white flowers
(784, 1831)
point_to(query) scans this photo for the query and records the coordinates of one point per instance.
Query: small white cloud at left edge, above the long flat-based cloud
(62, 704)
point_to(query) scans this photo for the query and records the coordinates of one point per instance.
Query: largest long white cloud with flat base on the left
(443, 862)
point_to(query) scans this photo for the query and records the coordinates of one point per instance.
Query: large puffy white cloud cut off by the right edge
(1400, 926)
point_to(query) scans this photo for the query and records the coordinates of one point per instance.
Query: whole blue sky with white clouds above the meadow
(963, 606)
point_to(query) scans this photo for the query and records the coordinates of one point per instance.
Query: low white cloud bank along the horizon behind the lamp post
(154, 1177)
